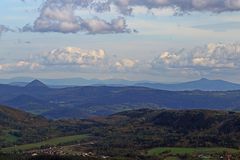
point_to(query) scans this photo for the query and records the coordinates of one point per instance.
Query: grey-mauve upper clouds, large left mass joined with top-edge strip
(60, 15)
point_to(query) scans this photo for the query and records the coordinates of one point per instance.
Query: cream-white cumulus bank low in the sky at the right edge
(212, 57)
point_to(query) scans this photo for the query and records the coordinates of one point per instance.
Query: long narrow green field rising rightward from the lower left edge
(52, 142)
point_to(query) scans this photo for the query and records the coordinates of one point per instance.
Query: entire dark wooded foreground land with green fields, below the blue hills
(132, 134)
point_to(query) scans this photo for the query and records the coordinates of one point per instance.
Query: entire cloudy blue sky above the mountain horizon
(155, 40)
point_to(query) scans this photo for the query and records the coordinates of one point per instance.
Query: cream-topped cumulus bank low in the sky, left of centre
(77, 58)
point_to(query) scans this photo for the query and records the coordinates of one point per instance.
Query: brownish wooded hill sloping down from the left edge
(17, 127)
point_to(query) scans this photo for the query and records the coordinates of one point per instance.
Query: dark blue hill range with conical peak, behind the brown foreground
(82, 102)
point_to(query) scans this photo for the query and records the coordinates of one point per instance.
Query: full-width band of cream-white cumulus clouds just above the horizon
(204, 60)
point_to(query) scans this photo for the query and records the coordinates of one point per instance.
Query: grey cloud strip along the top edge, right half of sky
(181, 6)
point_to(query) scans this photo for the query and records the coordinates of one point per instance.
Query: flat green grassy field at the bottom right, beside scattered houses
(176, 150)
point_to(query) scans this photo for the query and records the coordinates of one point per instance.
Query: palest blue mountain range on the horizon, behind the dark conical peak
(202, 84)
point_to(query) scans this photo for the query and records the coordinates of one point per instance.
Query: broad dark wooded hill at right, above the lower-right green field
(149, 128)
